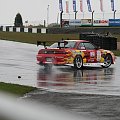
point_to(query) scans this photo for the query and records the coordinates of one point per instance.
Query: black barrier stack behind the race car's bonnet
(104, 41)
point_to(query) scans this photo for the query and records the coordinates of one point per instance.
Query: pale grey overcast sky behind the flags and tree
(36, 10)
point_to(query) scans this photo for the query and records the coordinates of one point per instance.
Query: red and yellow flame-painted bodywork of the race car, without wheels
(66, 55)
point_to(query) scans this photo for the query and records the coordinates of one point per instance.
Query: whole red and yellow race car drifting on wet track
(74, 53)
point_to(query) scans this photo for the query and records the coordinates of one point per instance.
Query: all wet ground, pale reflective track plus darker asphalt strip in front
(93, 91)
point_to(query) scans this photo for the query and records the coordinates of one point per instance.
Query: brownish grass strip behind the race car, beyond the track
(34, 37)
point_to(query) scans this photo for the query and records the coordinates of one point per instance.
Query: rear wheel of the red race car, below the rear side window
(78, 62)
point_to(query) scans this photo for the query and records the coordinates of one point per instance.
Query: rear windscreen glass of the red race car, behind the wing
(69, 44)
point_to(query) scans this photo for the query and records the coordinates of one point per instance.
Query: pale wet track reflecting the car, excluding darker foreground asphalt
(19, 59)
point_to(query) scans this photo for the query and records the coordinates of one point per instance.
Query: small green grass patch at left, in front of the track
(18, 90)
